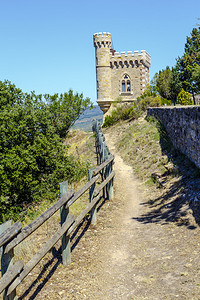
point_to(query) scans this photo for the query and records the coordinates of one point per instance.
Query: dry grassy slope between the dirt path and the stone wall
(170, 180)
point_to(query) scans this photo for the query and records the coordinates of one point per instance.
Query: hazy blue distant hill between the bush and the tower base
(85, 120)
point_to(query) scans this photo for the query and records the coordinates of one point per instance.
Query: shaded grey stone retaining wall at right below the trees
(183, 127)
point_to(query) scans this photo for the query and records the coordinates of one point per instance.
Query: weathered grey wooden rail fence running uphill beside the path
(13, 235)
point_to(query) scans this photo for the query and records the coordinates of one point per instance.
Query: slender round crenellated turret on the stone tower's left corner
(102, 44)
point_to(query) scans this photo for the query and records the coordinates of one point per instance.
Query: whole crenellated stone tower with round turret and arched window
(124, 75)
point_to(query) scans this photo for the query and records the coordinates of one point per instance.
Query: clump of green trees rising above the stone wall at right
(185, 74)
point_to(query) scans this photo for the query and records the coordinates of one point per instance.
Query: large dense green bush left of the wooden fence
(33, 159)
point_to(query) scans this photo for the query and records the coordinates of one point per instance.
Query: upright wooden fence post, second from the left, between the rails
(64, 214)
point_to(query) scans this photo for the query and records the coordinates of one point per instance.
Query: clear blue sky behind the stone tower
(47, 45)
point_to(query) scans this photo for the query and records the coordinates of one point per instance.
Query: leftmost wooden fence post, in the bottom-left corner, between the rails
(7, 261)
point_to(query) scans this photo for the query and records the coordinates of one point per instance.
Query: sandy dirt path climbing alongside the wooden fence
(128, 255)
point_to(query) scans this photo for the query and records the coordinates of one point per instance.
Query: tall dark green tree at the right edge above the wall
(186, 64)
